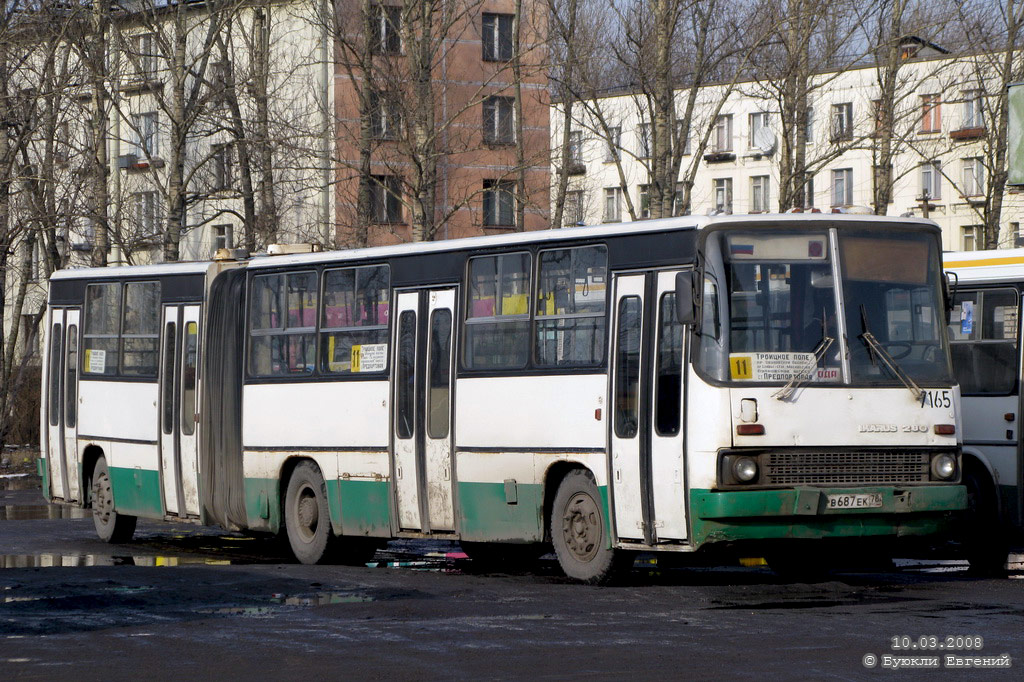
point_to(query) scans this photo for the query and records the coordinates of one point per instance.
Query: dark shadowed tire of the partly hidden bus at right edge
(984, 536)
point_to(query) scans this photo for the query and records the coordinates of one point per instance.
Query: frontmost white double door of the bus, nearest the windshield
(648, 466)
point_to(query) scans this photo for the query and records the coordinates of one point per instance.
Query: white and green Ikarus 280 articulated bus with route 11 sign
(774, 383)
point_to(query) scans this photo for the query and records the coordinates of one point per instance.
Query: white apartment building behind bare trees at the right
(941, 169)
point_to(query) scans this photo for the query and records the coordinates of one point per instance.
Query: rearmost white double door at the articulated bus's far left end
(63, 404)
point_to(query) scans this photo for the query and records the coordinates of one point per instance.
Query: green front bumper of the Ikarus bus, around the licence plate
(803, 514)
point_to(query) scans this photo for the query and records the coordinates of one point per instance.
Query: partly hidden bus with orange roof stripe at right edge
(986, 340)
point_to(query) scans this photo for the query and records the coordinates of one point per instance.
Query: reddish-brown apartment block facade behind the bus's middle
(465, 155)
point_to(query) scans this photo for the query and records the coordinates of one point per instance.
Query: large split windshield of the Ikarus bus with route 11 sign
(783, 305)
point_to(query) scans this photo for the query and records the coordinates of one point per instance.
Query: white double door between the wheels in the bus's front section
(422, 445)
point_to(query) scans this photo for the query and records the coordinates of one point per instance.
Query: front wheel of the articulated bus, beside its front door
(579, 531)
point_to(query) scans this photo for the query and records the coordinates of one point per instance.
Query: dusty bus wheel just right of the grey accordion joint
(308, 521)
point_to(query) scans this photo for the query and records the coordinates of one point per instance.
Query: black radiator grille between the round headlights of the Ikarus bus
(846, 468)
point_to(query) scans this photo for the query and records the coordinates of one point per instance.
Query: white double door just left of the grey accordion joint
(179, 392)
